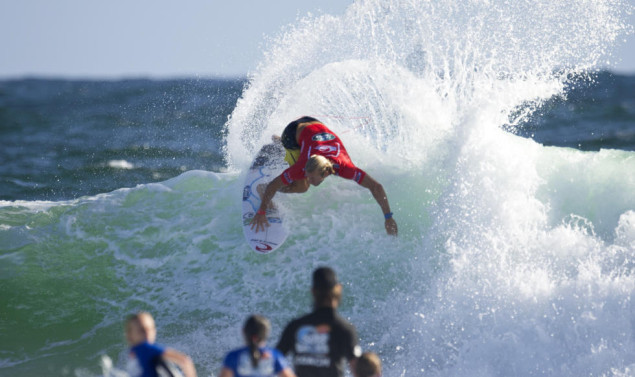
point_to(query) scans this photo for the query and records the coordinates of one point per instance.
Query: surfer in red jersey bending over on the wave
(314, 152)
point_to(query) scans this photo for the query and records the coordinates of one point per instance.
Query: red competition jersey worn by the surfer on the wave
(317, 139)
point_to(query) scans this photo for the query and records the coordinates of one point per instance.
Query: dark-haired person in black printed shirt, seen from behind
(321, 340)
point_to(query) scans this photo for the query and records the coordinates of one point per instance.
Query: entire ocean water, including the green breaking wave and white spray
(508, 159)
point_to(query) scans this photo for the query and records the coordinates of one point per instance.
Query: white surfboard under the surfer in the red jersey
(267, 165)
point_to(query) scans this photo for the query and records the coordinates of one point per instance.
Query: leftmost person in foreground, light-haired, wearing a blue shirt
(146, 357)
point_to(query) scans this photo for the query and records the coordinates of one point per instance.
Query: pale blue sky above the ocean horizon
(159, 38)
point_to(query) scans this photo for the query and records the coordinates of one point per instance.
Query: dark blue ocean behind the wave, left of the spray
(63, 139)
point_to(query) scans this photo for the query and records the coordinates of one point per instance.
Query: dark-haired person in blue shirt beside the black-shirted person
(256, 359)
